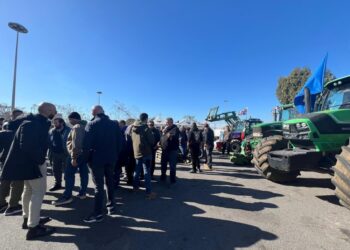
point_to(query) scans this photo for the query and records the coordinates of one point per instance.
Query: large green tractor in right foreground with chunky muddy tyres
(312, 142)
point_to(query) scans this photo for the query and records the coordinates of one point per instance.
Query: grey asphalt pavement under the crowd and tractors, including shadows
(230, 207)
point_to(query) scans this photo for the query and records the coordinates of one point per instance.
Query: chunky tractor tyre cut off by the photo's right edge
(341, 178)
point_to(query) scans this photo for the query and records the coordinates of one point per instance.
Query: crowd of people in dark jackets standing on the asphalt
(102, 147)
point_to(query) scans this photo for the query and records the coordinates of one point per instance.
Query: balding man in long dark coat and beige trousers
(26, 161)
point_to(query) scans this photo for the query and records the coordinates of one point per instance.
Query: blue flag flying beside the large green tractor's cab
(314, 84)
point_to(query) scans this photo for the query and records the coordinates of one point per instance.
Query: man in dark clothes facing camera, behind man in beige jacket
(58, 150)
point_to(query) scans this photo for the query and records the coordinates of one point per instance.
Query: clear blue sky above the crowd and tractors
(173, 58)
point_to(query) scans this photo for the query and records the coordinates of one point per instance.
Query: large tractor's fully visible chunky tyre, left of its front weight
(260, 159)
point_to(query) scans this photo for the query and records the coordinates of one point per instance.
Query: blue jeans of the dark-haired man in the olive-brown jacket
(145, 164)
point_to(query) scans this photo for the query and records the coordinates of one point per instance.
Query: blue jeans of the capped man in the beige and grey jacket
(69, 177)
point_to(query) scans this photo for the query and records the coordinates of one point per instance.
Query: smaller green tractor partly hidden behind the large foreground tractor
(261, 130)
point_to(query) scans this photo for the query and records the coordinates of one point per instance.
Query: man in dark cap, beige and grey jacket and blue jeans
(75, 161)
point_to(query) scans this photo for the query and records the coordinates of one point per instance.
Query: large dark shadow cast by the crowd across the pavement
(184, 216)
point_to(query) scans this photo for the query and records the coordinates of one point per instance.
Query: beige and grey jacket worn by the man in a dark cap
(75, 140)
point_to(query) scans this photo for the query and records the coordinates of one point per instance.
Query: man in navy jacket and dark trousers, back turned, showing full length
(102, 144)
